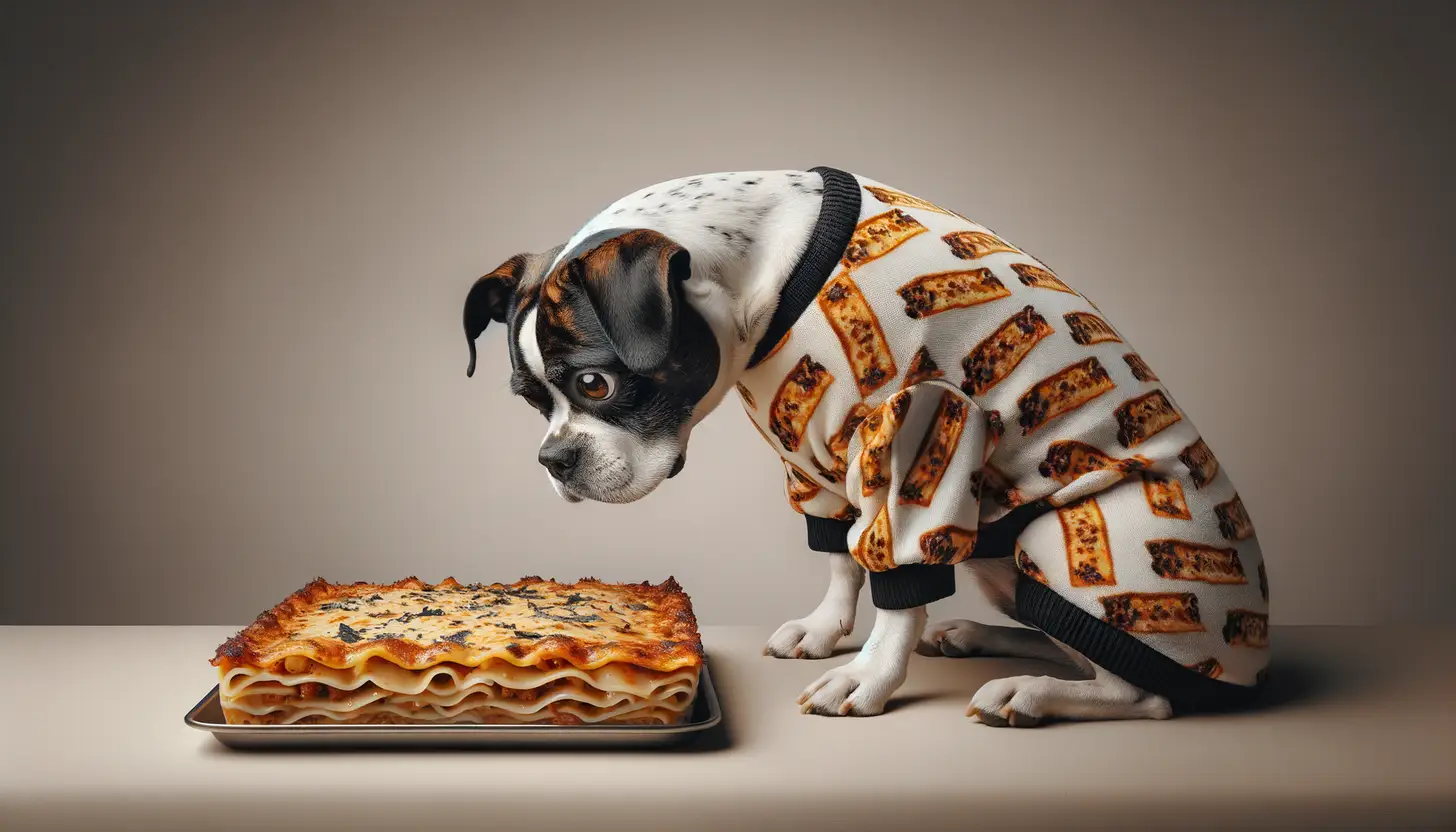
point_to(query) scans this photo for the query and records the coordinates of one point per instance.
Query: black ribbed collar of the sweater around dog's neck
(839, 213)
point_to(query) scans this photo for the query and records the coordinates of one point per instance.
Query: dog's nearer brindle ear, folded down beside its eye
(633, 282)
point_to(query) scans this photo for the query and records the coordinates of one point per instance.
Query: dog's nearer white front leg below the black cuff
(864, 686)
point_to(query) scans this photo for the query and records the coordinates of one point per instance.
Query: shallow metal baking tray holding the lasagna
(207, 716)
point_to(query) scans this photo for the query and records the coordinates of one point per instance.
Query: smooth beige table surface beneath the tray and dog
(1359, 731)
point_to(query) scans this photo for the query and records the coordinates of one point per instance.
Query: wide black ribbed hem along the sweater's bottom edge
(1125, 655)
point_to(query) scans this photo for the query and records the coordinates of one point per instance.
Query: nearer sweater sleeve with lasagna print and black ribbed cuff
(912, 473)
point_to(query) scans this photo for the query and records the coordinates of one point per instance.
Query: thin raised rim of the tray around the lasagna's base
(705, 691)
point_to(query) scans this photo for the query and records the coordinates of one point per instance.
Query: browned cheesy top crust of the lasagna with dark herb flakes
(644, 626)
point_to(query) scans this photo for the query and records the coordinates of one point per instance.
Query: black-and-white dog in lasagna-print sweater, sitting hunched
(943, 401)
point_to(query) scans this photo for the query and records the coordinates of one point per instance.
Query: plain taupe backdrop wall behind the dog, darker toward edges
(238, 238)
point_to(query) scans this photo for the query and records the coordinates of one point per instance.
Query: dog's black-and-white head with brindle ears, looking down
(608, 350)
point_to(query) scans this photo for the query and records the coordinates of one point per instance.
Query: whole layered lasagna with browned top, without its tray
(531, 652)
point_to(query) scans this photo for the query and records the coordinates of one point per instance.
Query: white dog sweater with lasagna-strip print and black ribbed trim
(938, 394)
